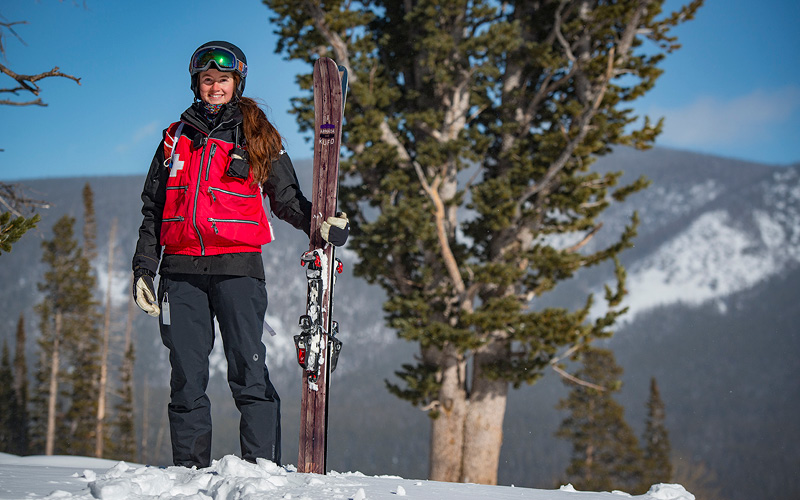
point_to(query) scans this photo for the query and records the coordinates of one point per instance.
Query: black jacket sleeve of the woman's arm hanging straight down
(154, 194)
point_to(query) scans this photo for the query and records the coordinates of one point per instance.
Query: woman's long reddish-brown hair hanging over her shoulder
(264, 143)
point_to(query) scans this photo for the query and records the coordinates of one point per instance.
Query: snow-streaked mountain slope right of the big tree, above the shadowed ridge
(715, 237)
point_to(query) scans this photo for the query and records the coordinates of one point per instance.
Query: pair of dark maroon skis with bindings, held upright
(317, 345)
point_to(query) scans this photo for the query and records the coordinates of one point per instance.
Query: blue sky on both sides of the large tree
(733, 89)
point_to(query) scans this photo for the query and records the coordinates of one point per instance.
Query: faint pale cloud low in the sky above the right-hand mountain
(740, 121)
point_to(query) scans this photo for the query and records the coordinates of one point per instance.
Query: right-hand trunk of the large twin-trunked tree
(483, 431)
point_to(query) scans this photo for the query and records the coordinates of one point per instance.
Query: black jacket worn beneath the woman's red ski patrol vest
(285, 199)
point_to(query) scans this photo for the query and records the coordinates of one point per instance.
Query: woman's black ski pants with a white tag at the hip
(189, 303)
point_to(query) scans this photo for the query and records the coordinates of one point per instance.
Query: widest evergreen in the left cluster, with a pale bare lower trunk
(68, 346)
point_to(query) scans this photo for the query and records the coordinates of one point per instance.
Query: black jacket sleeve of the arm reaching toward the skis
(286, 200)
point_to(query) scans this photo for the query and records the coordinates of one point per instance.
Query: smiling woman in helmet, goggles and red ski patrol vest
(202, 202)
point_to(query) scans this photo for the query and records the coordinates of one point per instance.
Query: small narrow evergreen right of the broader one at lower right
(657, 450)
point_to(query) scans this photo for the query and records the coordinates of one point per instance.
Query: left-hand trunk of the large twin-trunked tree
(447, 430)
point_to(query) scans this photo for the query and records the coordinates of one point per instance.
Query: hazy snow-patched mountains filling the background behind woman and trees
(713, 313)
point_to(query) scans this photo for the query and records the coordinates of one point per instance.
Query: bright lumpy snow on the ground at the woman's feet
(230, 478)
